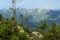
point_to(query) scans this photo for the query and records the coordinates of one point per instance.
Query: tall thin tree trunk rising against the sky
(14, 14)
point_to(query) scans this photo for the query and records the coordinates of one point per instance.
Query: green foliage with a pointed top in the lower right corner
(53, 33)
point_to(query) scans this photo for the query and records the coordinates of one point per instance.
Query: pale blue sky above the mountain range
(29, 4)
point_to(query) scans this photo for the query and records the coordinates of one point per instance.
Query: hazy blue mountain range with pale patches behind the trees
(35, 16)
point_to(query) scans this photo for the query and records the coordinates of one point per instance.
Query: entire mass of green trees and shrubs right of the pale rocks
(52, 33)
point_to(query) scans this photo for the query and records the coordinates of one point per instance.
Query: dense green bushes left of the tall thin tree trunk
(6, 29)
